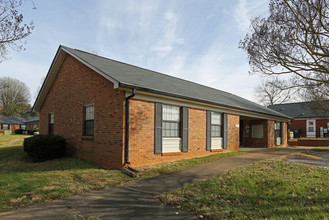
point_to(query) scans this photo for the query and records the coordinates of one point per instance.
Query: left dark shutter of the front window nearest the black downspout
(158, 129)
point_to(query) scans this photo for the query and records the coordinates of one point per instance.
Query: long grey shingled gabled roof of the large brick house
(128, 76)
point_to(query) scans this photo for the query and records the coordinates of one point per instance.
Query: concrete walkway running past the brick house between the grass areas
(136, 200)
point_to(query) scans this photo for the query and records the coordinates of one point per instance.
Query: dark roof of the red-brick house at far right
(298, 110)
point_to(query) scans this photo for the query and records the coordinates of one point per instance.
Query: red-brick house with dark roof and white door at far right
(312, 123)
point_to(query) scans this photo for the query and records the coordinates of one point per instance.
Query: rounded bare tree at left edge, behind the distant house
(14, 97)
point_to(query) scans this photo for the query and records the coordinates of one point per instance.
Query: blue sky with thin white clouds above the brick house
(196, 40)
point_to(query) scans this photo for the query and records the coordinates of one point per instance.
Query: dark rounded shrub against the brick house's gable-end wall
(44, 147)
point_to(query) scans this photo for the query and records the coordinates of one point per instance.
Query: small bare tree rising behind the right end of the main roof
(274, 91)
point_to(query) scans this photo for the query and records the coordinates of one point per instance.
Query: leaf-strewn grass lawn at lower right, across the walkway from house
(262, 190)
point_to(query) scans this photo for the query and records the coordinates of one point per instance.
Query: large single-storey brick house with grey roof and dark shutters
(91, 100)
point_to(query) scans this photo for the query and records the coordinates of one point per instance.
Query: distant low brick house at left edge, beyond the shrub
(10, 124)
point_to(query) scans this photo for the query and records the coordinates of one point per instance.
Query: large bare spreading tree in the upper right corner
(293, 40)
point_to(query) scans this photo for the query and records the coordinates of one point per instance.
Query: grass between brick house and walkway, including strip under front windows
(24, 183)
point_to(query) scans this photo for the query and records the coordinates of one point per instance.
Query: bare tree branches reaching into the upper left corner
(12, 29)
